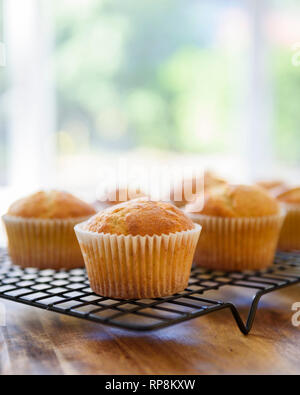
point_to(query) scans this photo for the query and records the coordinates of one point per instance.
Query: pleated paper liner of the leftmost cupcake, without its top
(43, 243)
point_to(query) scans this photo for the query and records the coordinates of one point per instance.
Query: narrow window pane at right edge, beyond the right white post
(284, 71)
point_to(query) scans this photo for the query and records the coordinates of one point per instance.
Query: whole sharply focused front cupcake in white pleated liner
(138, 249)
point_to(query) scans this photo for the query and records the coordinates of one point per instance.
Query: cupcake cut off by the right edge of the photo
(289, 239)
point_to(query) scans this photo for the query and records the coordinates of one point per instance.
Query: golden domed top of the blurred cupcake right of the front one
(236, 201)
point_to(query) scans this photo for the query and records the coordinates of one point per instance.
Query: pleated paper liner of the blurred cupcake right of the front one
(237, 244)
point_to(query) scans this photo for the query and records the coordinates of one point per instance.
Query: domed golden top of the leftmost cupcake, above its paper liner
(51, 205)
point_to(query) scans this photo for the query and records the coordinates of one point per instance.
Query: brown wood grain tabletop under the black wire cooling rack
(40, 342)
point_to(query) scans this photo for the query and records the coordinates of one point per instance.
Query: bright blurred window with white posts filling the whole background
(89, 82)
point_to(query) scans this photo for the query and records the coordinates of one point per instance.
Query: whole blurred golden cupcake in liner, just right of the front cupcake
(241, 226)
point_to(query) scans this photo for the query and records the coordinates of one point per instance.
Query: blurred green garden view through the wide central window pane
(144, 73)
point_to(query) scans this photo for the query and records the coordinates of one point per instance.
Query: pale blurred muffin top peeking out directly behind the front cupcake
(117, 196)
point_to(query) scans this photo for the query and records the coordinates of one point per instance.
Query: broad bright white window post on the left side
(31, 94)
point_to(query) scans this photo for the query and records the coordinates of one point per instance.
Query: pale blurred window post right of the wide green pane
(258, 106)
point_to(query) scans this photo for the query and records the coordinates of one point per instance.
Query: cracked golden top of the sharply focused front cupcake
(140, 217)
